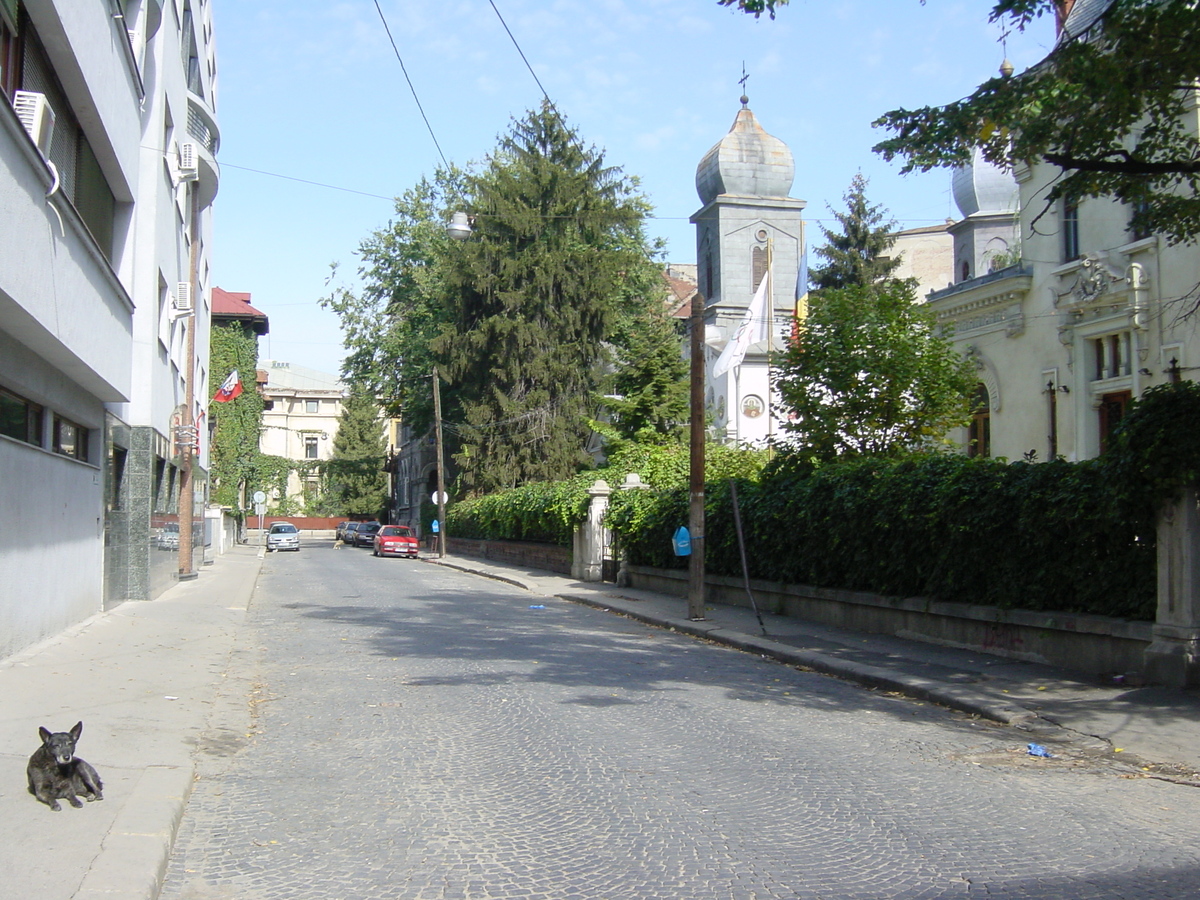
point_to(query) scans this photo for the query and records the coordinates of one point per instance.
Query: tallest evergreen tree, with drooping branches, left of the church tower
(533, 298)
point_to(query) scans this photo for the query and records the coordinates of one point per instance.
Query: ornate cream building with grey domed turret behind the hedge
(1085, 317)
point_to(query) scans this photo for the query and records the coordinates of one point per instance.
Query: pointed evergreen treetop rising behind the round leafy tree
(855, 255)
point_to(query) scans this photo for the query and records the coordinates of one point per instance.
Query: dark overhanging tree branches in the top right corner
(1113, 107)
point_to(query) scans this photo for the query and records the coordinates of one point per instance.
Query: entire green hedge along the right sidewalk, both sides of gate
(1054, 536)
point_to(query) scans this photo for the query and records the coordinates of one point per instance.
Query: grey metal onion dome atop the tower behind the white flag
(747, 163)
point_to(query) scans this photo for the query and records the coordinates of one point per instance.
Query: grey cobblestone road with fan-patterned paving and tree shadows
(393, 729)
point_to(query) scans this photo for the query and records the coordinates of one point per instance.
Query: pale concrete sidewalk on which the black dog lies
(145, 679)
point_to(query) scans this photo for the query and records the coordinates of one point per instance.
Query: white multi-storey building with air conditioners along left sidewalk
(107, 175)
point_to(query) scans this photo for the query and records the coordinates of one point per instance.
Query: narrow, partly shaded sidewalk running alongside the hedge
(1143, 727)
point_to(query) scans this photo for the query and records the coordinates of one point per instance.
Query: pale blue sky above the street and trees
(311, 92)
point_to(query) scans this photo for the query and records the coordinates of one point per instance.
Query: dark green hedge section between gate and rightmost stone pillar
(1035, 537)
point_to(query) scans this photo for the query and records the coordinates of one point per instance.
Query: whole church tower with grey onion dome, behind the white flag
(746, 220)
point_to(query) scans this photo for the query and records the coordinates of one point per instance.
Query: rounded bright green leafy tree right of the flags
(871, 376)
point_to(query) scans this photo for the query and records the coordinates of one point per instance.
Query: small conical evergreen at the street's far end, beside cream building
(356, 473)
